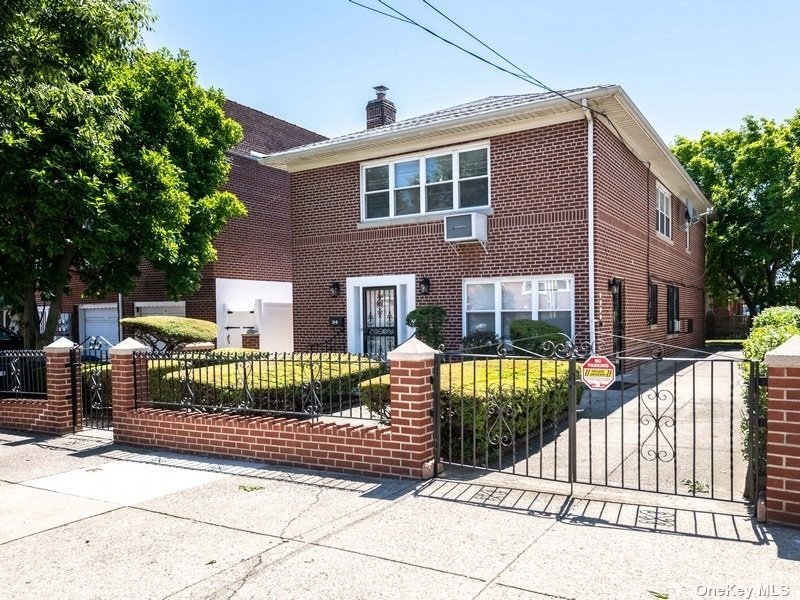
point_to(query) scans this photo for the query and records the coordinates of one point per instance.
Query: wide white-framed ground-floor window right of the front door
(491, 305)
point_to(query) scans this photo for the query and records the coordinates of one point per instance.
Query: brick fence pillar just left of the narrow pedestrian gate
(58, 417)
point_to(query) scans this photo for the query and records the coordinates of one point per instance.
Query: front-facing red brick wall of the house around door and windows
(538, 193)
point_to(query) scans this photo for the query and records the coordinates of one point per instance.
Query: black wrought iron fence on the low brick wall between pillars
(306, 385)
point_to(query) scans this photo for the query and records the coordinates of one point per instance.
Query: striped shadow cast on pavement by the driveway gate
(586, 512)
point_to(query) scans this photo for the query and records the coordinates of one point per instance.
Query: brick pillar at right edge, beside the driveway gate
(783, 433)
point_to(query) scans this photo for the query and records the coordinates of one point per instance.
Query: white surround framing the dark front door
(406, 302)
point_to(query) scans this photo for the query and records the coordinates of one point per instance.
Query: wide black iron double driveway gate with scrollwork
(678, 425)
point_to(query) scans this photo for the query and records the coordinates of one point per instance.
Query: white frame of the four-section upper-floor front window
(421, 157)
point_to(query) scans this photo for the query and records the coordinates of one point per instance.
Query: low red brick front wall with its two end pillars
(403, 449)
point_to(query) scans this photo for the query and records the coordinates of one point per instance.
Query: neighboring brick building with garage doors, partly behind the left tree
(254, 253)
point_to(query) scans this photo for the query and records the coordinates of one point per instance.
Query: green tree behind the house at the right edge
(752, 177)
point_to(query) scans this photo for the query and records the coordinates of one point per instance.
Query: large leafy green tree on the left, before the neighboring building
(109, 154)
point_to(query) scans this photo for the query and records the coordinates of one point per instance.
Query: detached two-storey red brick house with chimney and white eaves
(566, 209)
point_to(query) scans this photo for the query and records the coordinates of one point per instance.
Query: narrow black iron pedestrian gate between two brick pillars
(91, 384)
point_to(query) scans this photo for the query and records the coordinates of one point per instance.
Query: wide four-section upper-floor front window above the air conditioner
(435, 182)
